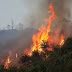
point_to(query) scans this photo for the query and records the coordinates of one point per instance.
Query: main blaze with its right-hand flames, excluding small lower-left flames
(43, 34)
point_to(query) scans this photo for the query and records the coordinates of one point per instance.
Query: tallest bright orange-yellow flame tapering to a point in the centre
(43, 34)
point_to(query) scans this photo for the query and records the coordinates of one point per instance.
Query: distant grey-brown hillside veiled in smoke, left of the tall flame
(15, 40)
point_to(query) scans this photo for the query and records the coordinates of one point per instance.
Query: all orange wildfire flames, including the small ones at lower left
(42, 38)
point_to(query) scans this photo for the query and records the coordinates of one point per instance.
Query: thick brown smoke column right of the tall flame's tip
(63, 22)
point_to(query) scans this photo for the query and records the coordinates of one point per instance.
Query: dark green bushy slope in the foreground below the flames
(59, 60)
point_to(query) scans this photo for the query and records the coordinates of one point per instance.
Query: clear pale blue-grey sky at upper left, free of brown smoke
(12, 9)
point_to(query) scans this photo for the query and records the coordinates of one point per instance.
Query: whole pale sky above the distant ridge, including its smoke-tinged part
(19, 10)
